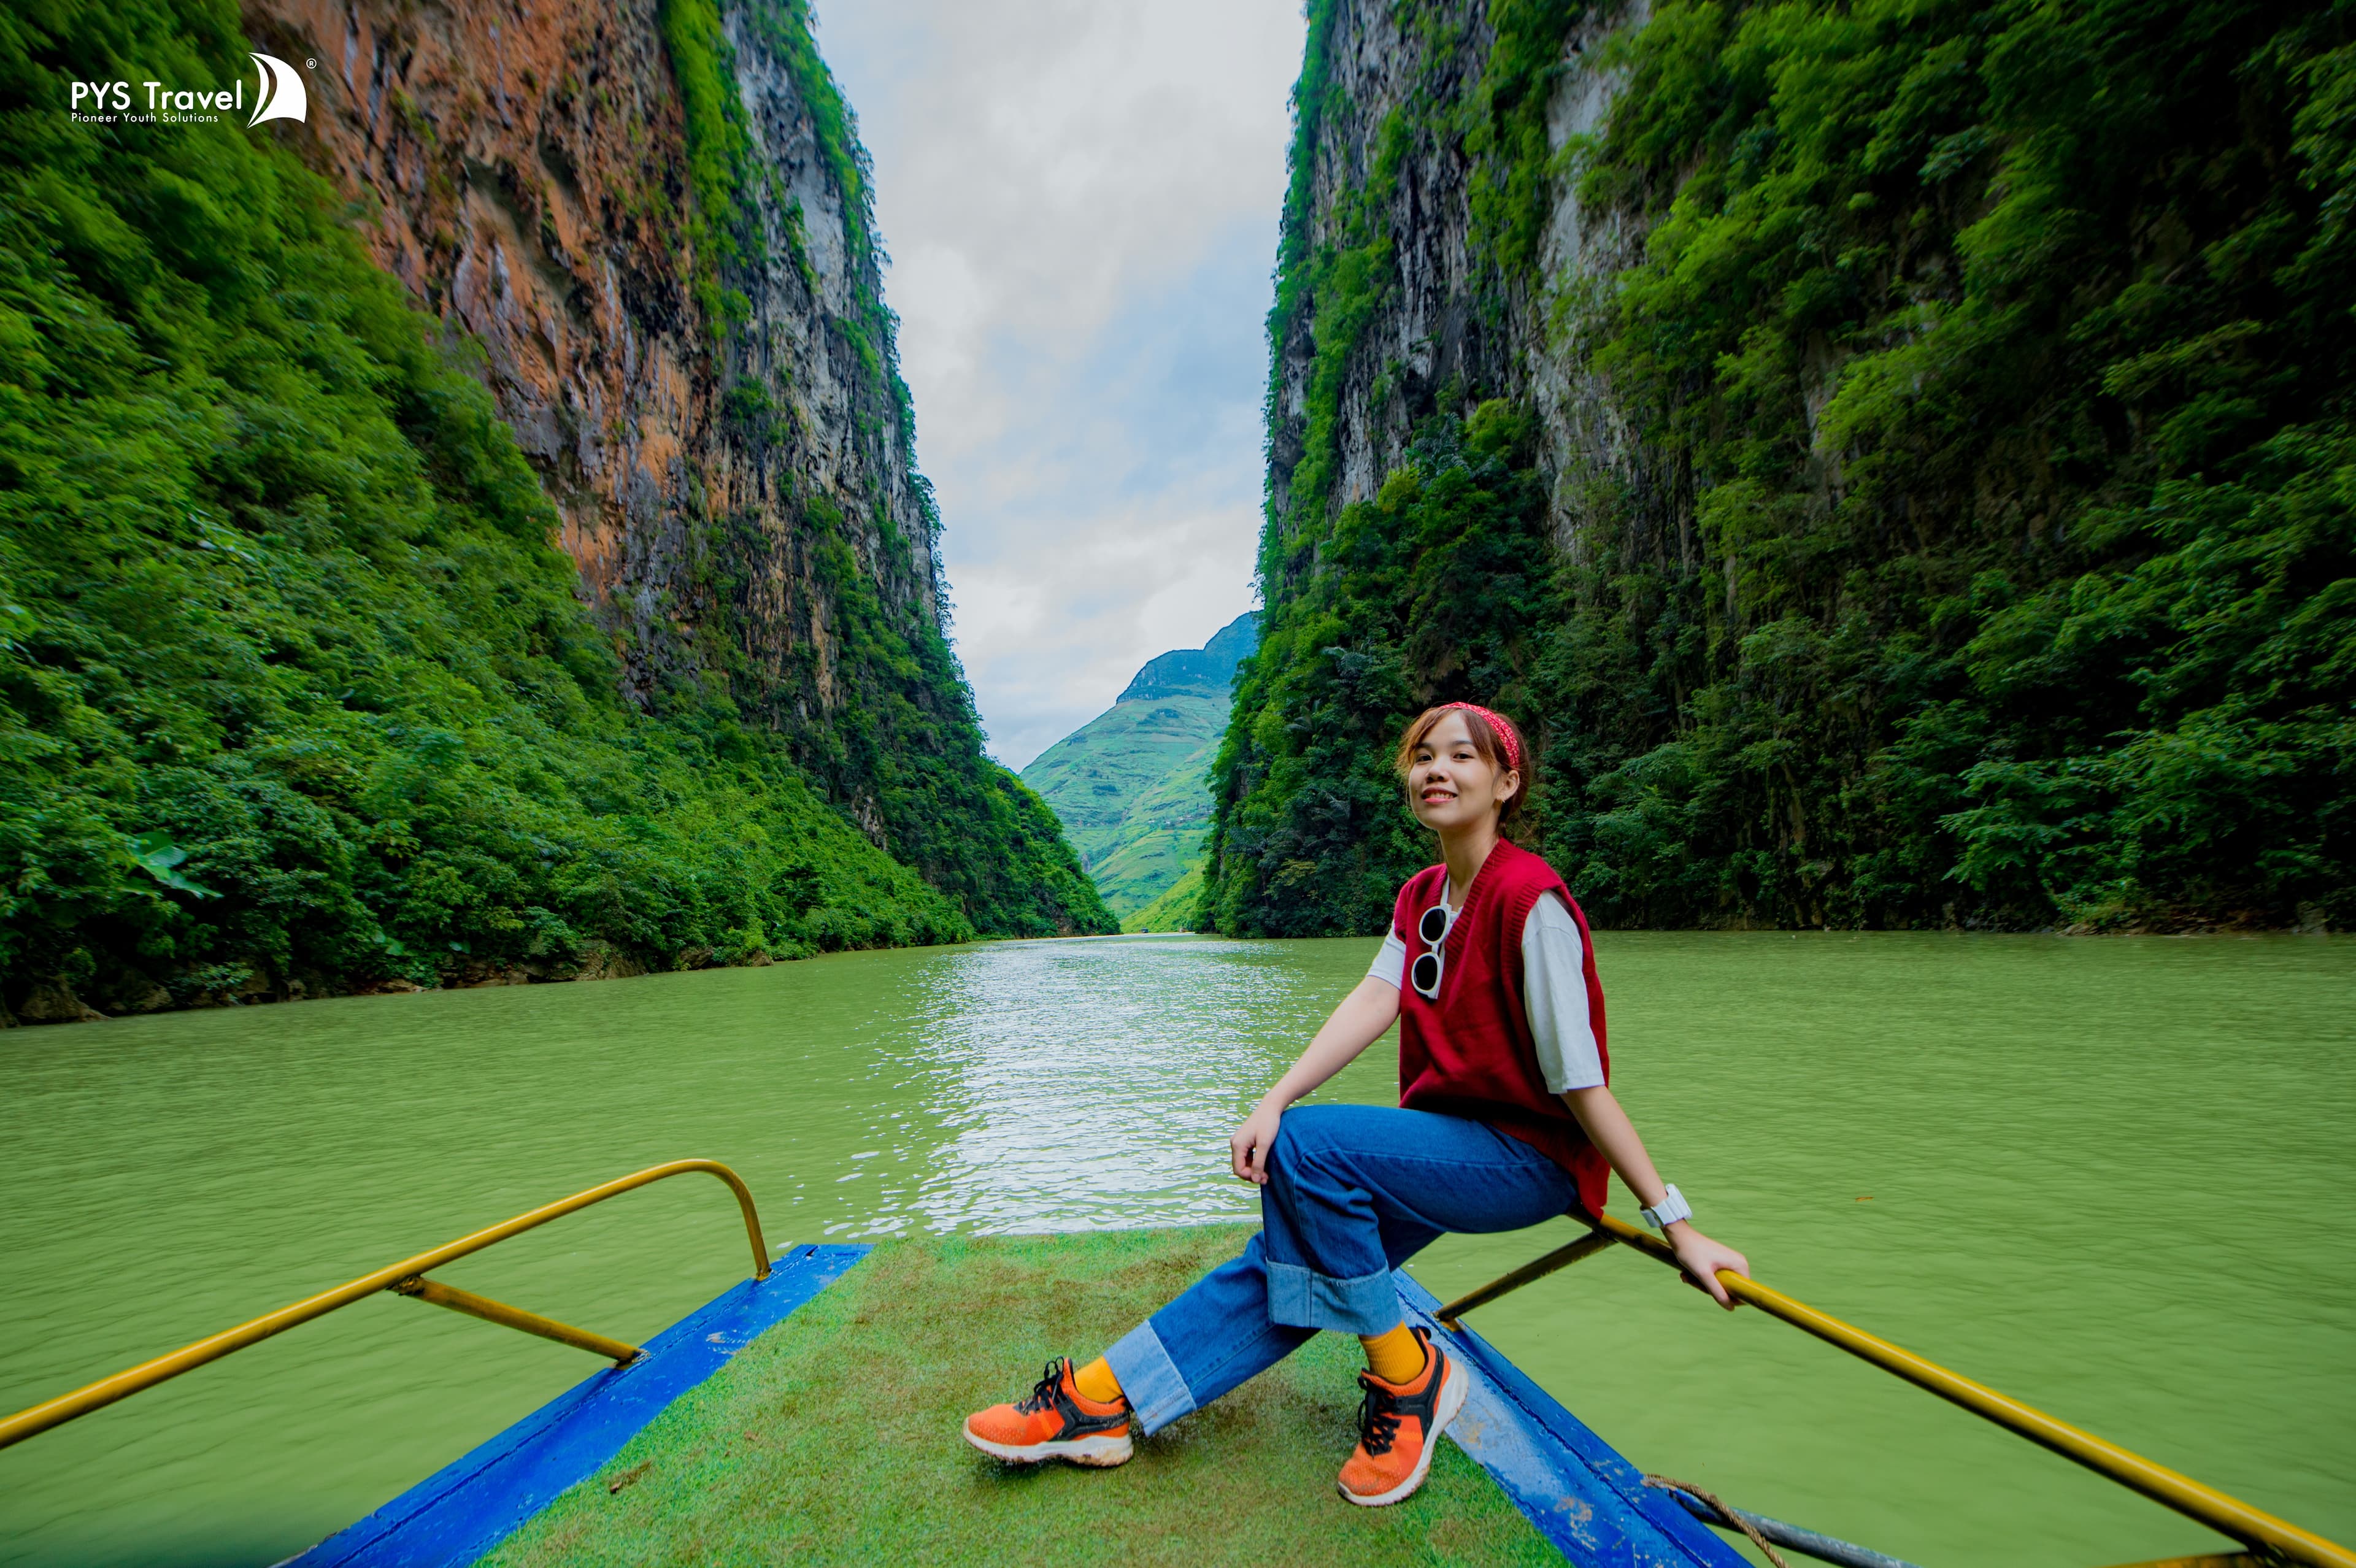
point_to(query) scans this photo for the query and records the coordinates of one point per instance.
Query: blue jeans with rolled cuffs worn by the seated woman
(1351, 1195)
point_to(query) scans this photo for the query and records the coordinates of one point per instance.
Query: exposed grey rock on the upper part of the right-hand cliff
(1438, 326)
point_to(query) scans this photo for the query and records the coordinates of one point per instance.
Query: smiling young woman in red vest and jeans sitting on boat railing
(1504, 1122)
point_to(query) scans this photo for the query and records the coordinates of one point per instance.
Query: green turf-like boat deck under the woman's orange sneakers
(835, 1437)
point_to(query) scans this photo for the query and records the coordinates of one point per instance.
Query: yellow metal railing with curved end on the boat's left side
(406, 1277)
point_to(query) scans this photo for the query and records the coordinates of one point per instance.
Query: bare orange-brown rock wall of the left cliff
(524, 175)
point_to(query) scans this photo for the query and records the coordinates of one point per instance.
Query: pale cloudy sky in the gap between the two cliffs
(1080, 201)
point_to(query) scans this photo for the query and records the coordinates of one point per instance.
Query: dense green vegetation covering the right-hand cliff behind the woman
(1985, 545)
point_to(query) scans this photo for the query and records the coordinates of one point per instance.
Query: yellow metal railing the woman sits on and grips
(2221, 1513)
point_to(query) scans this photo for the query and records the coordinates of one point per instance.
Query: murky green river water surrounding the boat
(2107, 1176)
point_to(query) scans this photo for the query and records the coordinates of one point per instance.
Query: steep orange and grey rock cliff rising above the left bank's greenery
(654, 220)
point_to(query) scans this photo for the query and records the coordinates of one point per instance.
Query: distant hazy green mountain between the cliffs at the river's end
(1130, 785)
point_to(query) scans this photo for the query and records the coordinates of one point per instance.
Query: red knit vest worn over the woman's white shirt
(1471, 1051)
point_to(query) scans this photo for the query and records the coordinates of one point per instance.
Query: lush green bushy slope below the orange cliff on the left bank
(293, 689)
